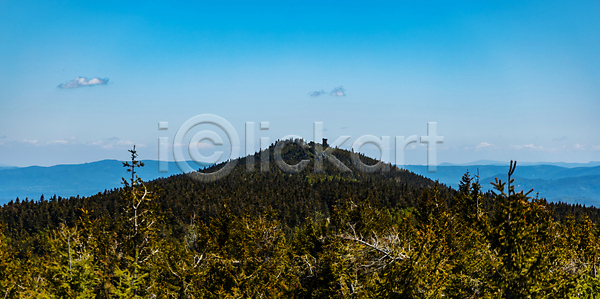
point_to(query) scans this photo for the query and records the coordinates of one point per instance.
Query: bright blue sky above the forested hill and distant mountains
(503, 80)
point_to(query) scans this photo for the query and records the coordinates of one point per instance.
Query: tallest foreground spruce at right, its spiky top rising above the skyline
(525, 238)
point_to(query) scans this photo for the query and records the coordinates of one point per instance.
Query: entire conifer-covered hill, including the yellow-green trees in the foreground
(273, 234)
